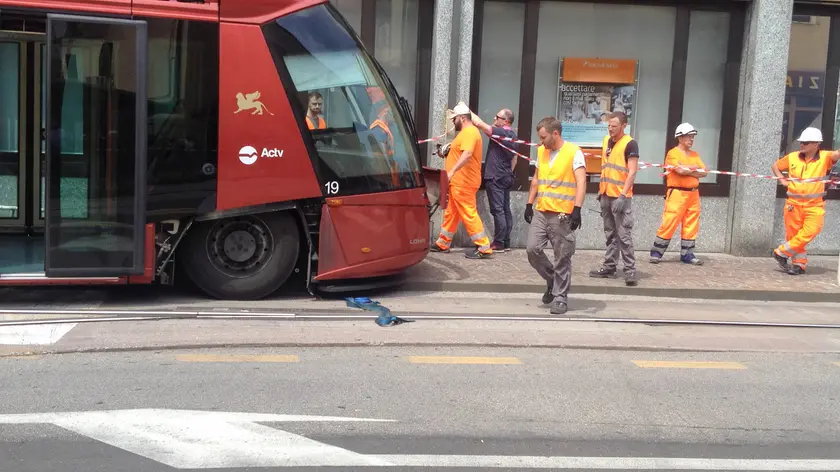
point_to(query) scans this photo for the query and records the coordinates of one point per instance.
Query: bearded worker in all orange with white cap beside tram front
(463, 168)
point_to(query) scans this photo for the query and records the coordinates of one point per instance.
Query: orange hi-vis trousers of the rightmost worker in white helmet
(802, 224)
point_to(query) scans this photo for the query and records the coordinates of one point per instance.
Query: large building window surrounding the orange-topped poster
(576, 30)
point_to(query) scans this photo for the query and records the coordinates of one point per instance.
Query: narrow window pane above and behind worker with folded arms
(708, 39)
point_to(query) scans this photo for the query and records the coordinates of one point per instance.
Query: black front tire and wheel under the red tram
(241, 258)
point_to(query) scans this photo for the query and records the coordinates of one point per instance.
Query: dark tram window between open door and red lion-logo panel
(183, 89)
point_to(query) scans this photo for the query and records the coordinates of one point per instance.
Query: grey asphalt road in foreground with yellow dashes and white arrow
(471, 407)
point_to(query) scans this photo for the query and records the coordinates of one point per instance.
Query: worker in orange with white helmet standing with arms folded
(682, 198)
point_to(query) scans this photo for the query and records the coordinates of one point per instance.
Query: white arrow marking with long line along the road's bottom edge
(187, 439)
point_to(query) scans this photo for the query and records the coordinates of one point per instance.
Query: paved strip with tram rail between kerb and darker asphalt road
(489, 319)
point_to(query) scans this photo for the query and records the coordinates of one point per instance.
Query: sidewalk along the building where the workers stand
(721, 277)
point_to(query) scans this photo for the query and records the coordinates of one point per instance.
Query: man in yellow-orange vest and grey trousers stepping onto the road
(557, 192)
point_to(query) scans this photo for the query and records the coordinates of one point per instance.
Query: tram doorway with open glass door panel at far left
(73, 143)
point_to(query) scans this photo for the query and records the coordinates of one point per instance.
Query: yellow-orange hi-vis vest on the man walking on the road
(556, 185)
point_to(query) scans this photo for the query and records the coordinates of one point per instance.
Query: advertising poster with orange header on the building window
(588, 90)
